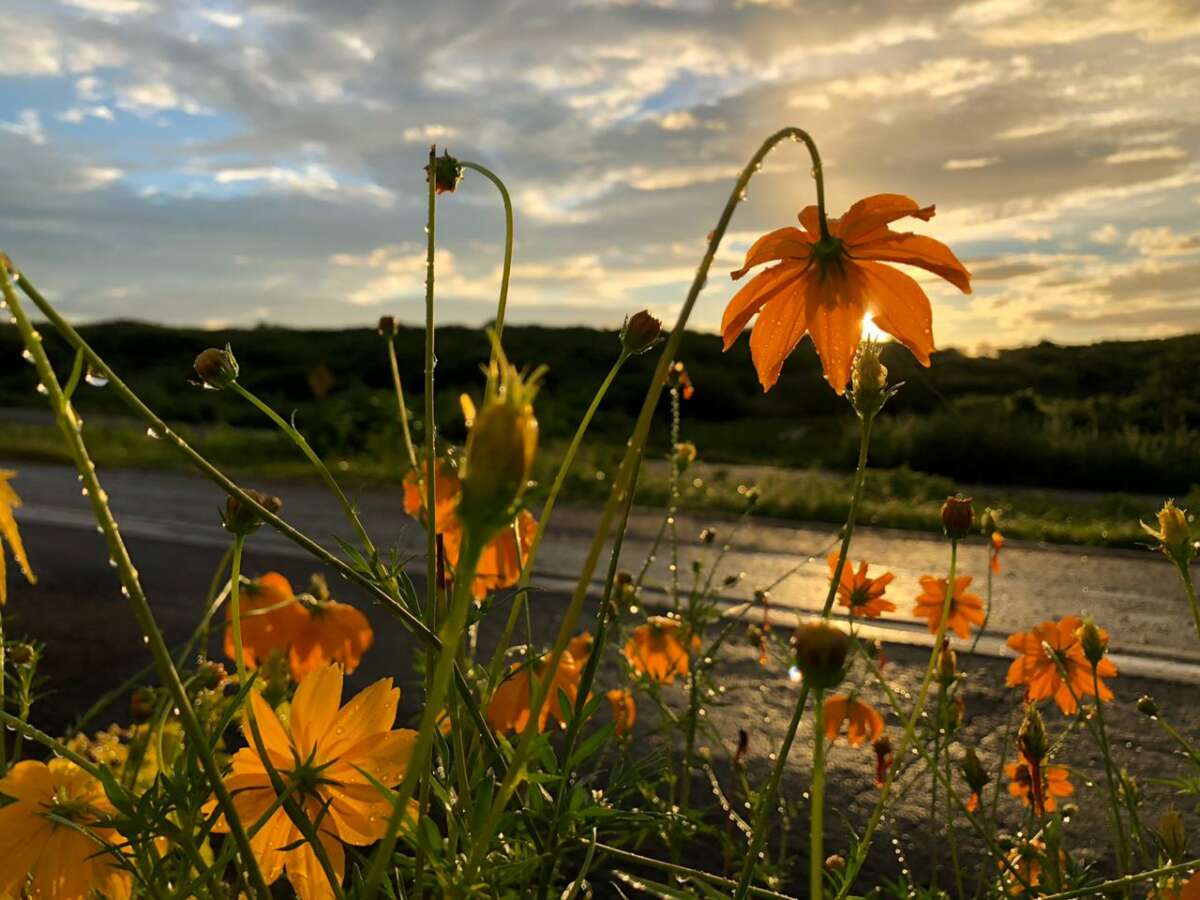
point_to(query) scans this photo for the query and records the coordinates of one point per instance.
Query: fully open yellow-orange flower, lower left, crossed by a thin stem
(326, 757)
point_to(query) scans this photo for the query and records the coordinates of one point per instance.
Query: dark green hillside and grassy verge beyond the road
(1035, 425)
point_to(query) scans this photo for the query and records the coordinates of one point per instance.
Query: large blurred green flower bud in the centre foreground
(501, 449)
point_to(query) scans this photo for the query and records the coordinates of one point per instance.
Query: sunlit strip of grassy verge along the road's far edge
(897, 497)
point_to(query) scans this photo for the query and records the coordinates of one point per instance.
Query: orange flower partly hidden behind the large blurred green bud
(500, 565)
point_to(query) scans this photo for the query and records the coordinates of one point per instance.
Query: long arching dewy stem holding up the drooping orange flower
(621, 485)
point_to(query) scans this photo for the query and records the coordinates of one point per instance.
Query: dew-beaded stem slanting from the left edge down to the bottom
(131, 585)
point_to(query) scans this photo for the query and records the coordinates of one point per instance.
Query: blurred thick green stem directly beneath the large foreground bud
(452, 633)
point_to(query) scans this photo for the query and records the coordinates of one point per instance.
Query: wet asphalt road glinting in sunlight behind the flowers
(172, 527)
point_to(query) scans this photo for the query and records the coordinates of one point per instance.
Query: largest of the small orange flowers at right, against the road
(1040, 674)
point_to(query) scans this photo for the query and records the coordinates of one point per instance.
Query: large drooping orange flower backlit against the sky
(823, 286)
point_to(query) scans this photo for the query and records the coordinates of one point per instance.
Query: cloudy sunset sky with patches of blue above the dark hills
(226, 164)
